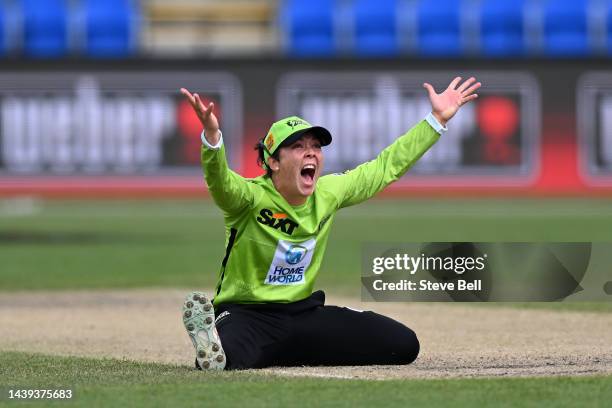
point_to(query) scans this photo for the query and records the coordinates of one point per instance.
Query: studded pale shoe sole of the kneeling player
(199, 321)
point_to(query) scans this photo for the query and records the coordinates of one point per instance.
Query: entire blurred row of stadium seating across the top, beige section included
(309, 28)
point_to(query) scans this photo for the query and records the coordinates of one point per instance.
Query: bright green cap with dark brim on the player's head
(288, 130)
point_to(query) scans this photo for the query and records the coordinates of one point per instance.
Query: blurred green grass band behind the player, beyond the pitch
(118, 244)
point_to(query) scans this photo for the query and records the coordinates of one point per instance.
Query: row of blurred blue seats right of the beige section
(449, 28)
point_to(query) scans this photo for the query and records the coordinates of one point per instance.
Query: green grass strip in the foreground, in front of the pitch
(96, 382)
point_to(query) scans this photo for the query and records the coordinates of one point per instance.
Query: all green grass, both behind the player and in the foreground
(59, 245)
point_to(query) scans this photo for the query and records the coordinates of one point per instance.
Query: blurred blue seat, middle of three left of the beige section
(45, 28)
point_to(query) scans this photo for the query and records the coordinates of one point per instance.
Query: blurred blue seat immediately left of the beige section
(110, 28)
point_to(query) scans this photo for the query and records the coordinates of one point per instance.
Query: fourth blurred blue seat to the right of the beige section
(502, 28)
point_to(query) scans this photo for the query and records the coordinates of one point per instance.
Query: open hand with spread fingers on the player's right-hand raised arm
(446, 104)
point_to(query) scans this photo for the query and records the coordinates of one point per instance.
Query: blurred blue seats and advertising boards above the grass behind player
(99, 80)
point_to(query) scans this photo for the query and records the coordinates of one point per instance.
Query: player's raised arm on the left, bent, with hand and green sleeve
(230, 191)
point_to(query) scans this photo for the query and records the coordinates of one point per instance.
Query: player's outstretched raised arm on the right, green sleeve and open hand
(366, 180)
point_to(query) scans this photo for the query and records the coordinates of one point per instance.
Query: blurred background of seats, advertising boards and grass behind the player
(91, 118)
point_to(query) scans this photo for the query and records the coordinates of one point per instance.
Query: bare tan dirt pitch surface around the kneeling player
(456, 340)
